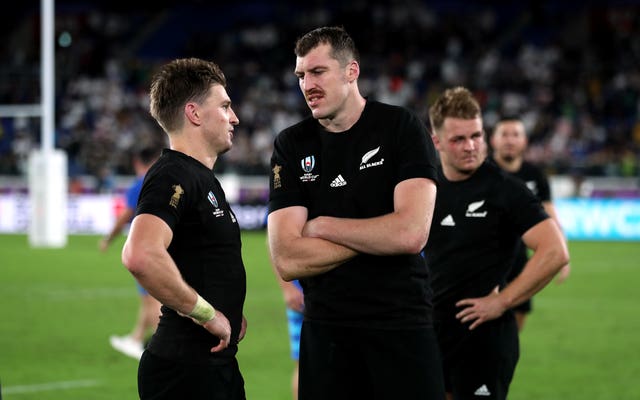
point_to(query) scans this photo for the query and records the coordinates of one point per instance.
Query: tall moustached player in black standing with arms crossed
(352, 190)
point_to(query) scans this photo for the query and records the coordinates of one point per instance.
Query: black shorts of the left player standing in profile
(159, 378)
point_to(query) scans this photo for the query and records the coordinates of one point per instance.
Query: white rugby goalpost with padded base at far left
(47, 166)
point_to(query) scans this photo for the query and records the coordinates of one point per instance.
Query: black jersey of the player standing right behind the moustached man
(476, 225)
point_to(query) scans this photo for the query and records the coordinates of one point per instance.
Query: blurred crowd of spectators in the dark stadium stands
(570, 69)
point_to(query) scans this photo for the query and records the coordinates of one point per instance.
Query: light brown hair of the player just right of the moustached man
(457, 102)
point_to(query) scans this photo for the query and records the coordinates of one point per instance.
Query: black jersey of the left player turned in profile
(206, 247)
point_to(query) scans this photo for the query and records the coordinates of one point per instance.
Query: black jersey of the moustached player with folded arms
(353, 174)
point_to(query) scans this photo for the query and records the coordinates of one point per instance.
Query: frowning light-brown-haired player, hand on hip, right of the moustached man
(480, 215)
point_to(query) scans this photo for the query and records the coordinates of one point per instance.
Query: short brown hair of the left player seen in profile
(177, 83)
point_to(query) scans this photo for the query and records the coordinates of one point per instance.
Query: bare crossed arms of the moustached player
(300, 248)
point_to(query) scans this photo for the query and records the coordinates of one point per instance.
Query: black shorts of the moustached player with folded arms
(338, 362)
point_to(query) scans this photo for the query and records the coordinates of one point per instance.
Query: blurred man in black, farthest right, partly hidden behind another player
(509, 144)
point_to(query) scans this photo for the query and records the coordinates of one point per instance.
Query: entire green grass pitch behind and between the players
(59, 306)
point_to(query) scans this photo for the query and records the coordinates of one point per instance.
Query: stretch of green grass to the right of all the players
(582, 340)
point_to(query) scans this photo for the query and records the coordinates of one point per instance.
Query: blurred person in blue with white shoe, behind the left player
(132, 344)
